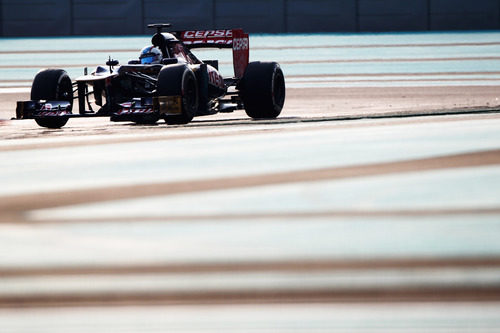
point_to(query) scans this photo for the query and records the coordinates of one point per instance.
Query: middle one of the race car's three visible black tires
(179, 80)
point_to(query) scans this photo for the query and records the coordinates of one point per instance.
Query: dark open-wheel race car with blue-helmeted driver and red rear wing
(166, 82)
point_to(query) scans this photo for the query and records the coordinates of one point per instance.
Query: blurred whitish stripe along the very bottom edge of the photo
(400, 317)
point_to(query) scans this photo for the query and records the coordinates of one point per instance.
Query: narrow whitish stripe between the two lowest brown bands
(275, 281)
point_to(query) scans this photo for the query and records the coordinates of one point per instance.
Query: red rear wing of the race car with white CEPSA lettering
(235, 39)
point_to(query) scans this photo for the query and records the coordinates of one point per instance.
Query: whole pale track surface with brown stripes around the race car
(372, 204)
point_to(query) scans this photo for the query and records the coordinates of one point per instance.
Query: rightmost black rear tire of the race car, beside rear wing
(262, 89)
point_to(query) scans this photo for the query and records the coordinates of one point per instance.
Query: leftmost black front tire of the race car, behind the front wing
(52, 85)
